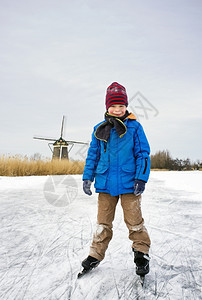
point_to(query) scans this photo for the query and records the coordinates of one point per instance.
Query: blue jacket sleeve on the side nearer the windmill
(92, 158)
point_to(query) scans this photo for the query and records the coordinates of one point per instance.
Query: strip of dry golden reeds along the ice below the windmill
(22, 166)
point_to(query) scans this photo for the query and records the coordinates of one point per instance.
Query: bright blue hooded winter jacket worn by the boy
(117, 164)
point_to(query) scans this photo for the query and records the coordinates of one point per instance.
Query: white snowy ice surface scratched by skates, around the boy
(46, 230)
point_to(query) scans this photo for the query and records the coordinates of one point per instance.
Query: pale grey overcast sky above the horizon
(58, 57)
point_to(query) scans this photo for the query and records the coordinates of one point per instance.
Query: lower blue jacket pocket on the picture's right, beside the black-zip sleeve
(128, 175)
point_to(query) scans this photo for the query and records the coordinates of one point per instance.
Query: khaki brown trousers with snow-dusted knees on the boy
(131, 205)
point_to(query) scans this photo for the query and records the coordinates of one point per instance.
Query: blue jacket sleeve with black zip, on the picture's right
(141, 152)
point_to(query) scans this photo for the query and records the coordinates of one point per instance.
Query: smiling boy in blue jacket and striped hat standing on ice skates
(118, 159)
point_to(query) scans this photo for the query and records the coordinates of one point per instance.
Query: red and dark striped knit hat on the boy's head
(116, 94)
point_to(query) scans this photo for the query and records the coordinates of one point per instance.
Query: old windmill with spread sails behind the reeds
(60, 146)
